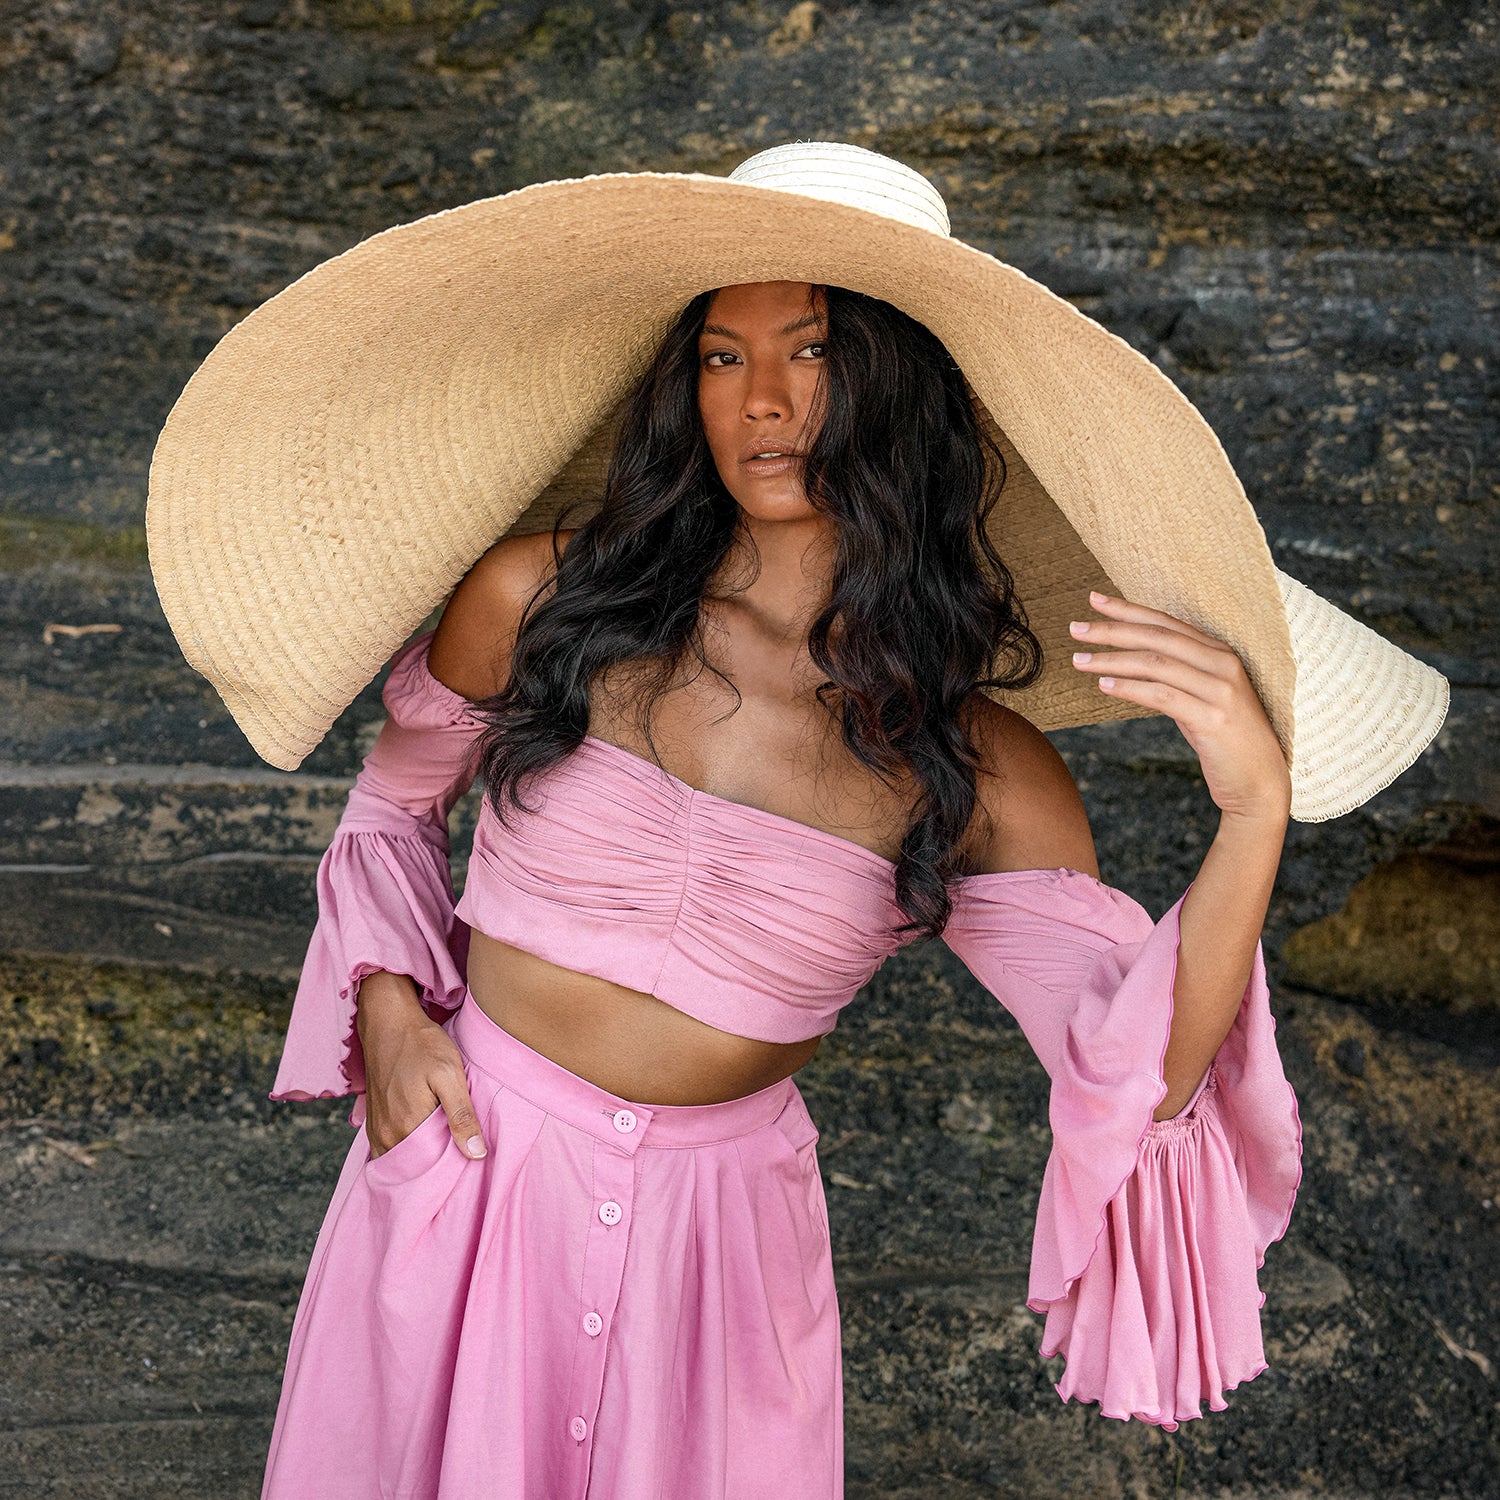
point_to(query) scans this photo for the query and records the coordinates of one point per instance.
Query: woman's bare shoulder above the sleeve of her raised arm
(1037, 820)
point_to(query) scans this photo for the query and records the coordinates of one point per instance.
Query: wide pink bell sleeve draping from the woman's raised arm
(1148, 1234)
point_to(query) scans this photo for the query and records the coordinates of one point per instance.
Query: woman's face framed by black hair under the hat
(758, 364)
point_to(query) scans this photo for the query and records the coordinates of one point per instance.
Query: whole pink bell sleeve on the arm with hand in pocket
(385, 887)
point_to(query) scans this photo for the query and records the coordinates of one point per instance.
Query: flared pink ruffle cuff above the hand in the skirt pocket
(386, 904)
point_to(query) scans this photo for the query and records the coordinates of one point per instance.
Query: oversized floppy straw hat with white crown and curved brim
(355, 445)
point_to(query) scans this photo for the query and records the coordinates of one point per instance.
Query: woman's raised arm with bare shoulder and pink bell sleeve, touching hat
(1177, 1141)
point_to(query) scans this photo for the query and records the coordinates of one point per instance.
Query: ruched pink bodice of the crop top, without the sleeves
(746, 920)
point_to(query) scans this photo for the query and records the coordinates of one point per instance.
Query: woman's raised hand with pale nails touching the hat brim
(1199, 682)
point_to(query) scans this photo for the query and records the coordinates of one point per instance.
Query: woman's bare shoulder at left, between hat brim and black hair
(478, 632)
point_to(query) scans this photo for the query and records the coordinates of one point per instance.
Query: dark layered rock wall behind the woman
(1291, 208)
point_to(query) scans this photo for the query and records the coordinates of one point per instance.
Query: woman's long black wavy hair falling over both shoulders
(920, 601)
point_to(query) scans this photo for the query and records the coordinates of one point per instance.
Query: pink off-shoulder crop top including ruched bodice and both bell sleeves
(1148, 1234)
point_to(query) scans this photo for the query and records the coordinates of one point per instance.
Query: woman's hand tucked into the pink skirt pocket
(412, 1067)
